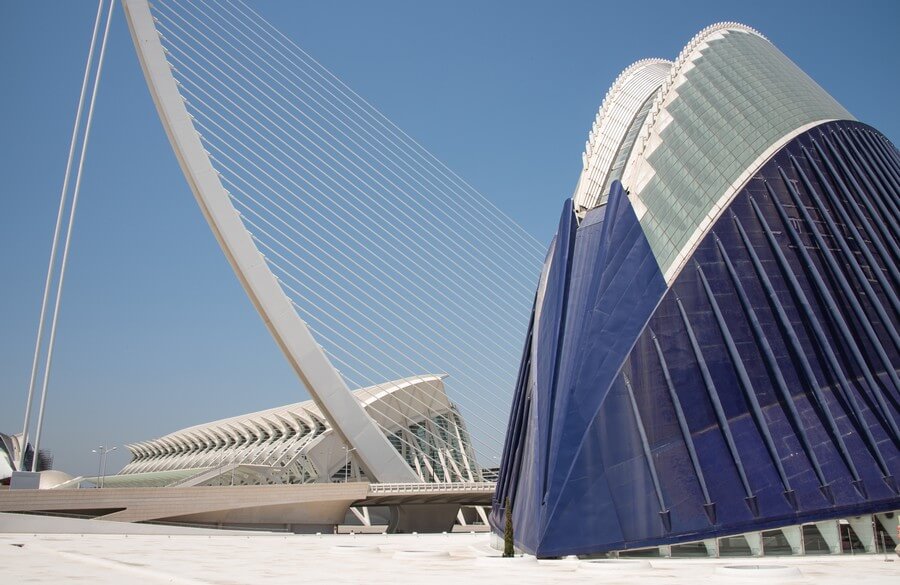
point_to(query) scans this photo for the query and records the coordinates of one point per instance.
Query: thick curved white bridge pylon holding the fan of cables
(326, 386)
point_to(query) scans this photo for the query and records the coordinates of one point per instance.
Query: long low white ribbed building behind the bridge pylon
(296, 444)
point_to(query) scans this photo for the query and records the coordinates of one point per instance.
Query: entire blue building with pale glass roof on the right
(714, 344)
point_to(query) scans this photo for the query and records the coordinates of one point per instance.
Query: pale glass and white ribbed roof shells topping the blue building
(707, 122)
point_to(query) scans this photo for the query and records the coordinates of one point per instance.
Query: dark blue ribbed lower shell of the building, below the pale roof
(758, 390)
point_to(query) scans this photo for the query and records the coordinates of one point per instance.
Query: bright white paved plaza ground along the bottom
(463, 559)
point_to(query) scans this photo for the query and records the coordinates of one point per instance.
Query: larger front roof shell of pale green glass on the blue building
(730, 101)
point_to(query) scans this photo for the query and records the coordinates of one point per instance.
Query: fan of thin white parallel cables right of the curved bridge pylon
(399, 267)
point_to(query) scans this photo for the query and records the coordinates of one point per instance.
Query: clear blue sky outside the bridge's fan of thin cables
(156, 334)
